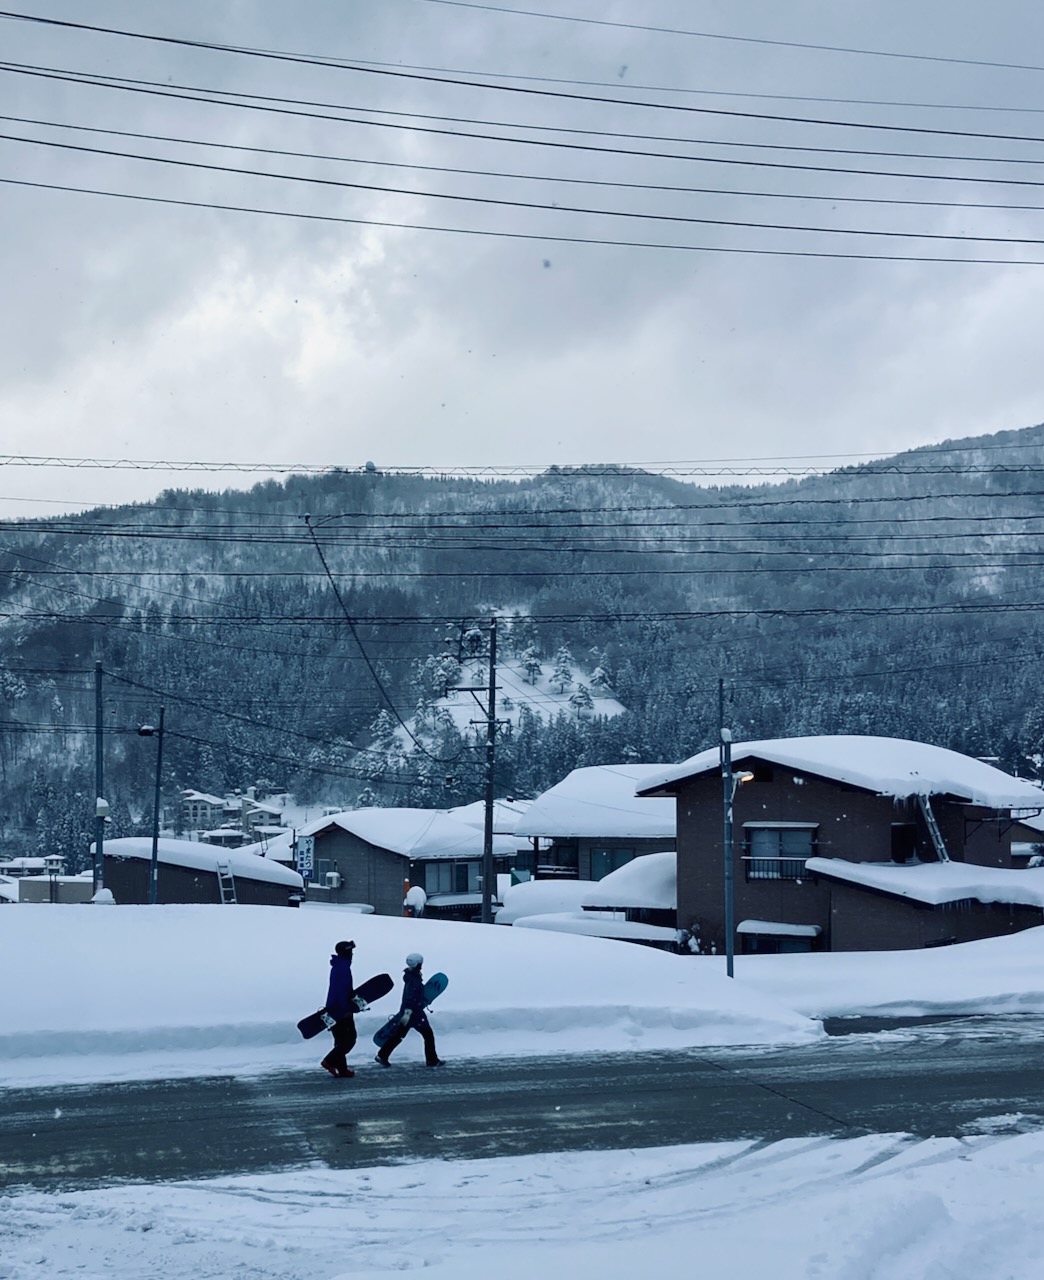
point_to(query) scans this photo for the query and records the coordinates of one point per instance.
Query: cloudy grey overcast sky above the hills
(157, 332)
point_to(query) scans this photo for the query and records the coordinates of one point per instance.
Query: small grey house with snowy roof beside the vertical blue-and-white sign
(373, 857)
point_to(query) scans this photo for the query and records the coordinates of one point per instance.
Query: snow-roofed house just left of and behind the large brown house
(593, 824)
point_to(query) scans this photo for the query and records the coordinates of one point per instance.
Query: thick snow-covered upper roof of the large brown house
(886, 766)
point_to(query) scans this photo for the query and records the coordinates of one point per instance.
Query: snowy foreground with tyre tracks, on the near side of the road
(881, 1208)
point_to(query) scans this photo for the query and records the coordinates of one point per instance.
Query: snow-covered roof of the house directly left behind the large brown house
(601, 801)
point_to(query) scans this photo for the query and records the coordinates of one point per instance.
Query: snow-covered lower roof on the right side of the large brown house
(936, 884)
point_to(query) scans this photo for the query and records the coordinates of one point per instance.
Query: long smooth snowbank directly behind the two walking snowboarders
(150, 984)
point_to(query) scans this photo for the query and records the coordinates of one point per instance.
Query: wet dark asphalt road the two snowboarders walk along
(929, 1080)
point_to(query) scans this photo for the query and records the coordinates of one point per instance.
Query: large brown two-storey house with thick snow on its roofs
(851, 844)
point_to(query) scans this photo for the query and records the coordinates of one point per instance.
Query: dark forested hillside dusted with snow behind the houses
(290, 632)
